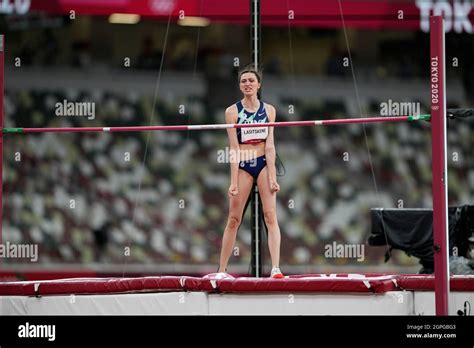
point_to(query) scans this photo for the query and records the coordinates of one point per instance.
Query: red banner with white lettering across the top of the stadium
(401, 14)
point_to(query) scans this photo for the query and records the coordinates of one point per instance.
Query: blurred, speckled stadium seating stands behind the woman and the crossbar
(160, 197)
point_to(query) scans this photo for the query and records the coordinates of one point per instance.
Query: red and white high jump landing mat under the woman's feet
(217, 294)
